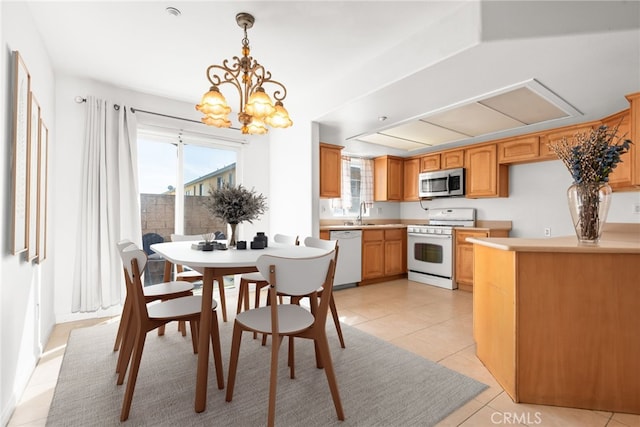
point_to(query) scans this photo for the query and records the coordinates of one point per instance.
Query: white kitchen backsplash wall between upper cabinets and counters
(537, 199)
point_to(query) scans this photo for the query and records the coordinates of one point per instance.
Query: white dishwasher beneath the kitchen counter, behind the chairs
(349, 268)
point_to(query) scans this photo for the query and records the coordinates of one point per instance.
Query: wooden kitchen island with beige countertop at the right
(557, 323)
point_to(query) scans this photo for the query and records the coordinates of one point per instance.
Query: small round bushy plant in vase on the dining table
(235, 205)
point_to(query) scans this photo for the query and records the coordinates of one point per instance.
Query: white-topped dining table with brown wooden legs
(215, 264)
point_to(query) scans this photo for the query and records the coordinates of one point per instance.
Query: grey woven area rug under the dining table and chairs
(380, 384)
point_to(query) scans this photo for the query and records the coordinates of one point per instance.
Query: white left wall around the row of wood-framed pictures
(26, 294)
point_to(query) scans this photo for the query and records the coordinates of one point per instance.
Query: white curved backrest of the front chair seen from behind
(296, 276)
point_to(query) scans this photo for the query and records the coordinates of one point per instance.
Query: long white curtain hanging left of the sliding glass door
(110, 205)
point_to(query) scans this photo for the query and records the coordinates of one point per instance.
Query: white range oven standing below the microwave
(430, 249)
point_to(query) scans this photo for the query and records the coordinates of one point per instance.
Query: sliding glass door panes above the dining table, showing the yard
(175, 173)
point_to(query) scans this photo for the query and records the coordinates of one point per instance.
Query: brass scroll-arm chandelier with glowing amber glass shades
(257, 110)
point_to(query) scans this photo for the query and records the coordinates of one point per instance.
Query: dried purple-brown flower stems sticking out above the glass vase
(592, 156)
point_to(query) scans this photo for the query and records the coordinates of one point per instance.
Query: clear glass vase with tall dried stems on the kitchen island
(590, 158)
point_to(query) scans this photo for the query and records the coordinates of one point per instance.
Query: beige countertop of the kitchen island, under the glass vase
(621, 238)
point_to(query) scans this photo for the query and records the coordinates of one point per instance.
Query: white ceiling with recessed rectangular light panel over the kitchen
(438, 71)
